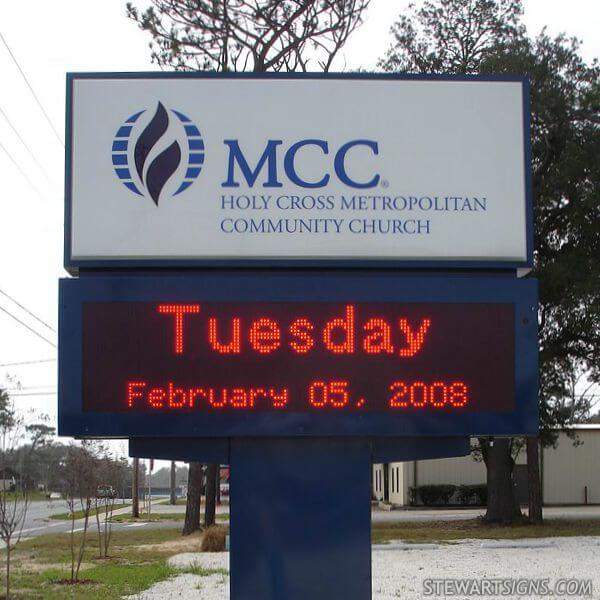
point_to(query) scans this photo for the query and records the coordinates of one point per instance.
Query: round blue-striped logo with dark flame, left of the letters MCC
(145, 171)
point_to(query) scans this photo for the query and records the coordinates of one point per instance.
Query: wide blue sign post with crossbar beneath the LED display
(300, 521)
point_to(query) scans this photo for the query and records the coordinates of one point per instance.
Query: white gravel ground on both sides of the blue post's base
(399, 569)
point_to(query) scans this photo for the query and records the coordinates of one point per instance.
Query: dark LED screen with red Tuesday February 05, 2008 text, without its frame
(297, 357)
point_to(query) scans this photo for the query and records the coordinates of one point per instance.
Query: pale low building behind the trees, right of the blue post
(570, 472)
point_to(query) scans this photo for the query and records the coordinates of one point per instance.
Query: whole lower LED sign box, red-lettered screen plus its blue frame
(271, 354)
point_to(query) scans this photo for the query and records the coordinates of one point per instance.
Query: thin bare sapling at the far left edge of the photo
(14, 503)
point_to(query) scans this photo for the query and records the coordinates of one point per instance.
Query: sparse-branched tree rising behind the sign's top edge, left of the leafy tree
(248, 35)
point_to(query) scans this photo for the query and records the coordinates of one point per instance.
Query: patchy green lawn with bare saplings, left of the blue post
(137, 560)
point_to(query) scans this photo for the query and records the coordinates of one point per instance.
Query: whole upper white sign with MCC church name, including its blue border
(168, 169)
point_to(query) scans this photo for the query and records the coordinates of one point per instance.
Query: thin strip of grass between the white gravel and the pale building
(447, 531)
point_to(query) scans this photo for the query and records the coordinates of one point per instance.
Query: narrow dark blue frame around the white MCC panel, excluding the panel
(73, 266)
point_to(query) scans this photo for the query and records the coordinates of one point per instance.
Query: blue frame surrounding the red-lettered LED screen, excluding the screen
(297, 286)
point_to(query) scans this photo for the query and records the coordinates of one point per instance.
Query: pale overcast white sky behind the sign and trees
(95, 35)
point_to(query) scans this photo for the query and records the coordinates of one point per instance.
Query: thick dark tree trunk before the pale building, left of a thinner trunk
(502, 504)
